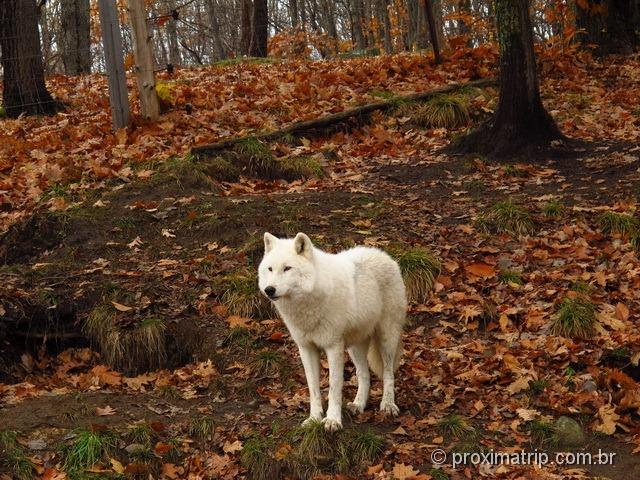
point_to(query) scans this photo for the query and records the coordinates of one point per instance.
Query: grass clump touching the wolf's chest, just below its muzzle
(240, 294)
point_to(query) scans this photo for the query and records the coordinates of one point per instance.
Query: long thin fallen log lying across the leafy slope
(336, 118)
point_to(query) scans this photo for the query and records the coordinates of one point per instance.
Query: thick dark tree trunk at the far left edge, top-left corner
(24, 89)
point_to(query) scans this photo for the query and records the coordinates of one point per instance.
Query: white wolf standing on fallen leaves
(354, 299)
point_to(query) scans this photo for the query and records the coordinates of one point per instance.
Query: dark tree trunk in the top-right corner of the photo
(613, 26)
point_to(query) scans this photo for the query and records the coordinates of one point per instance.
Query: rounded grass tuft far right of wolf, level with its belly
(575, 318)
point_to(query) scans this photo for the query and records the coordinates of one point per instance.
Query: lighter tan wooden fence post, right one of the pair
(143, 54)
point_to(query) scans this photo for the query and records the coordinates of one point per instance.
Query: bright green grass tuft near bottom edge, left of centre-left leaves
(88, 448)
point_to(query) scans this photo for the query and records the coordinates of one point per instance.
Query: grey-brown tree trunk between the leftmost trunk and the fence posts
(75, 36)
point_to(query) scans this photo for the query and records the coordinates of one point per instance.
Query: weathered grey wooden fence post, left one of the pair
(114, 61)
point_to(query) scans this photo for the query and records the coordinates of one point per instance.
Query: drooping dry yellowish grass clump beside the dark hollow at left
(142, 347)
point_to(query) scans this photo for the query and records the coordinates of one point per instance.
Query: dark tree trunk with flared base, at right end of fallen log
(520, 122)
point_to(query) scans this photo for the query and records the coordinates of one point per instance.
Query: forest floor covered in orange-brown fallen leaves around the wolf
(158, 243)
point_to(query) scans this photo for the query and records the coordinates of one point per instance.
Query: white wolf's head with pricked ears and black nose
(287, 269)
